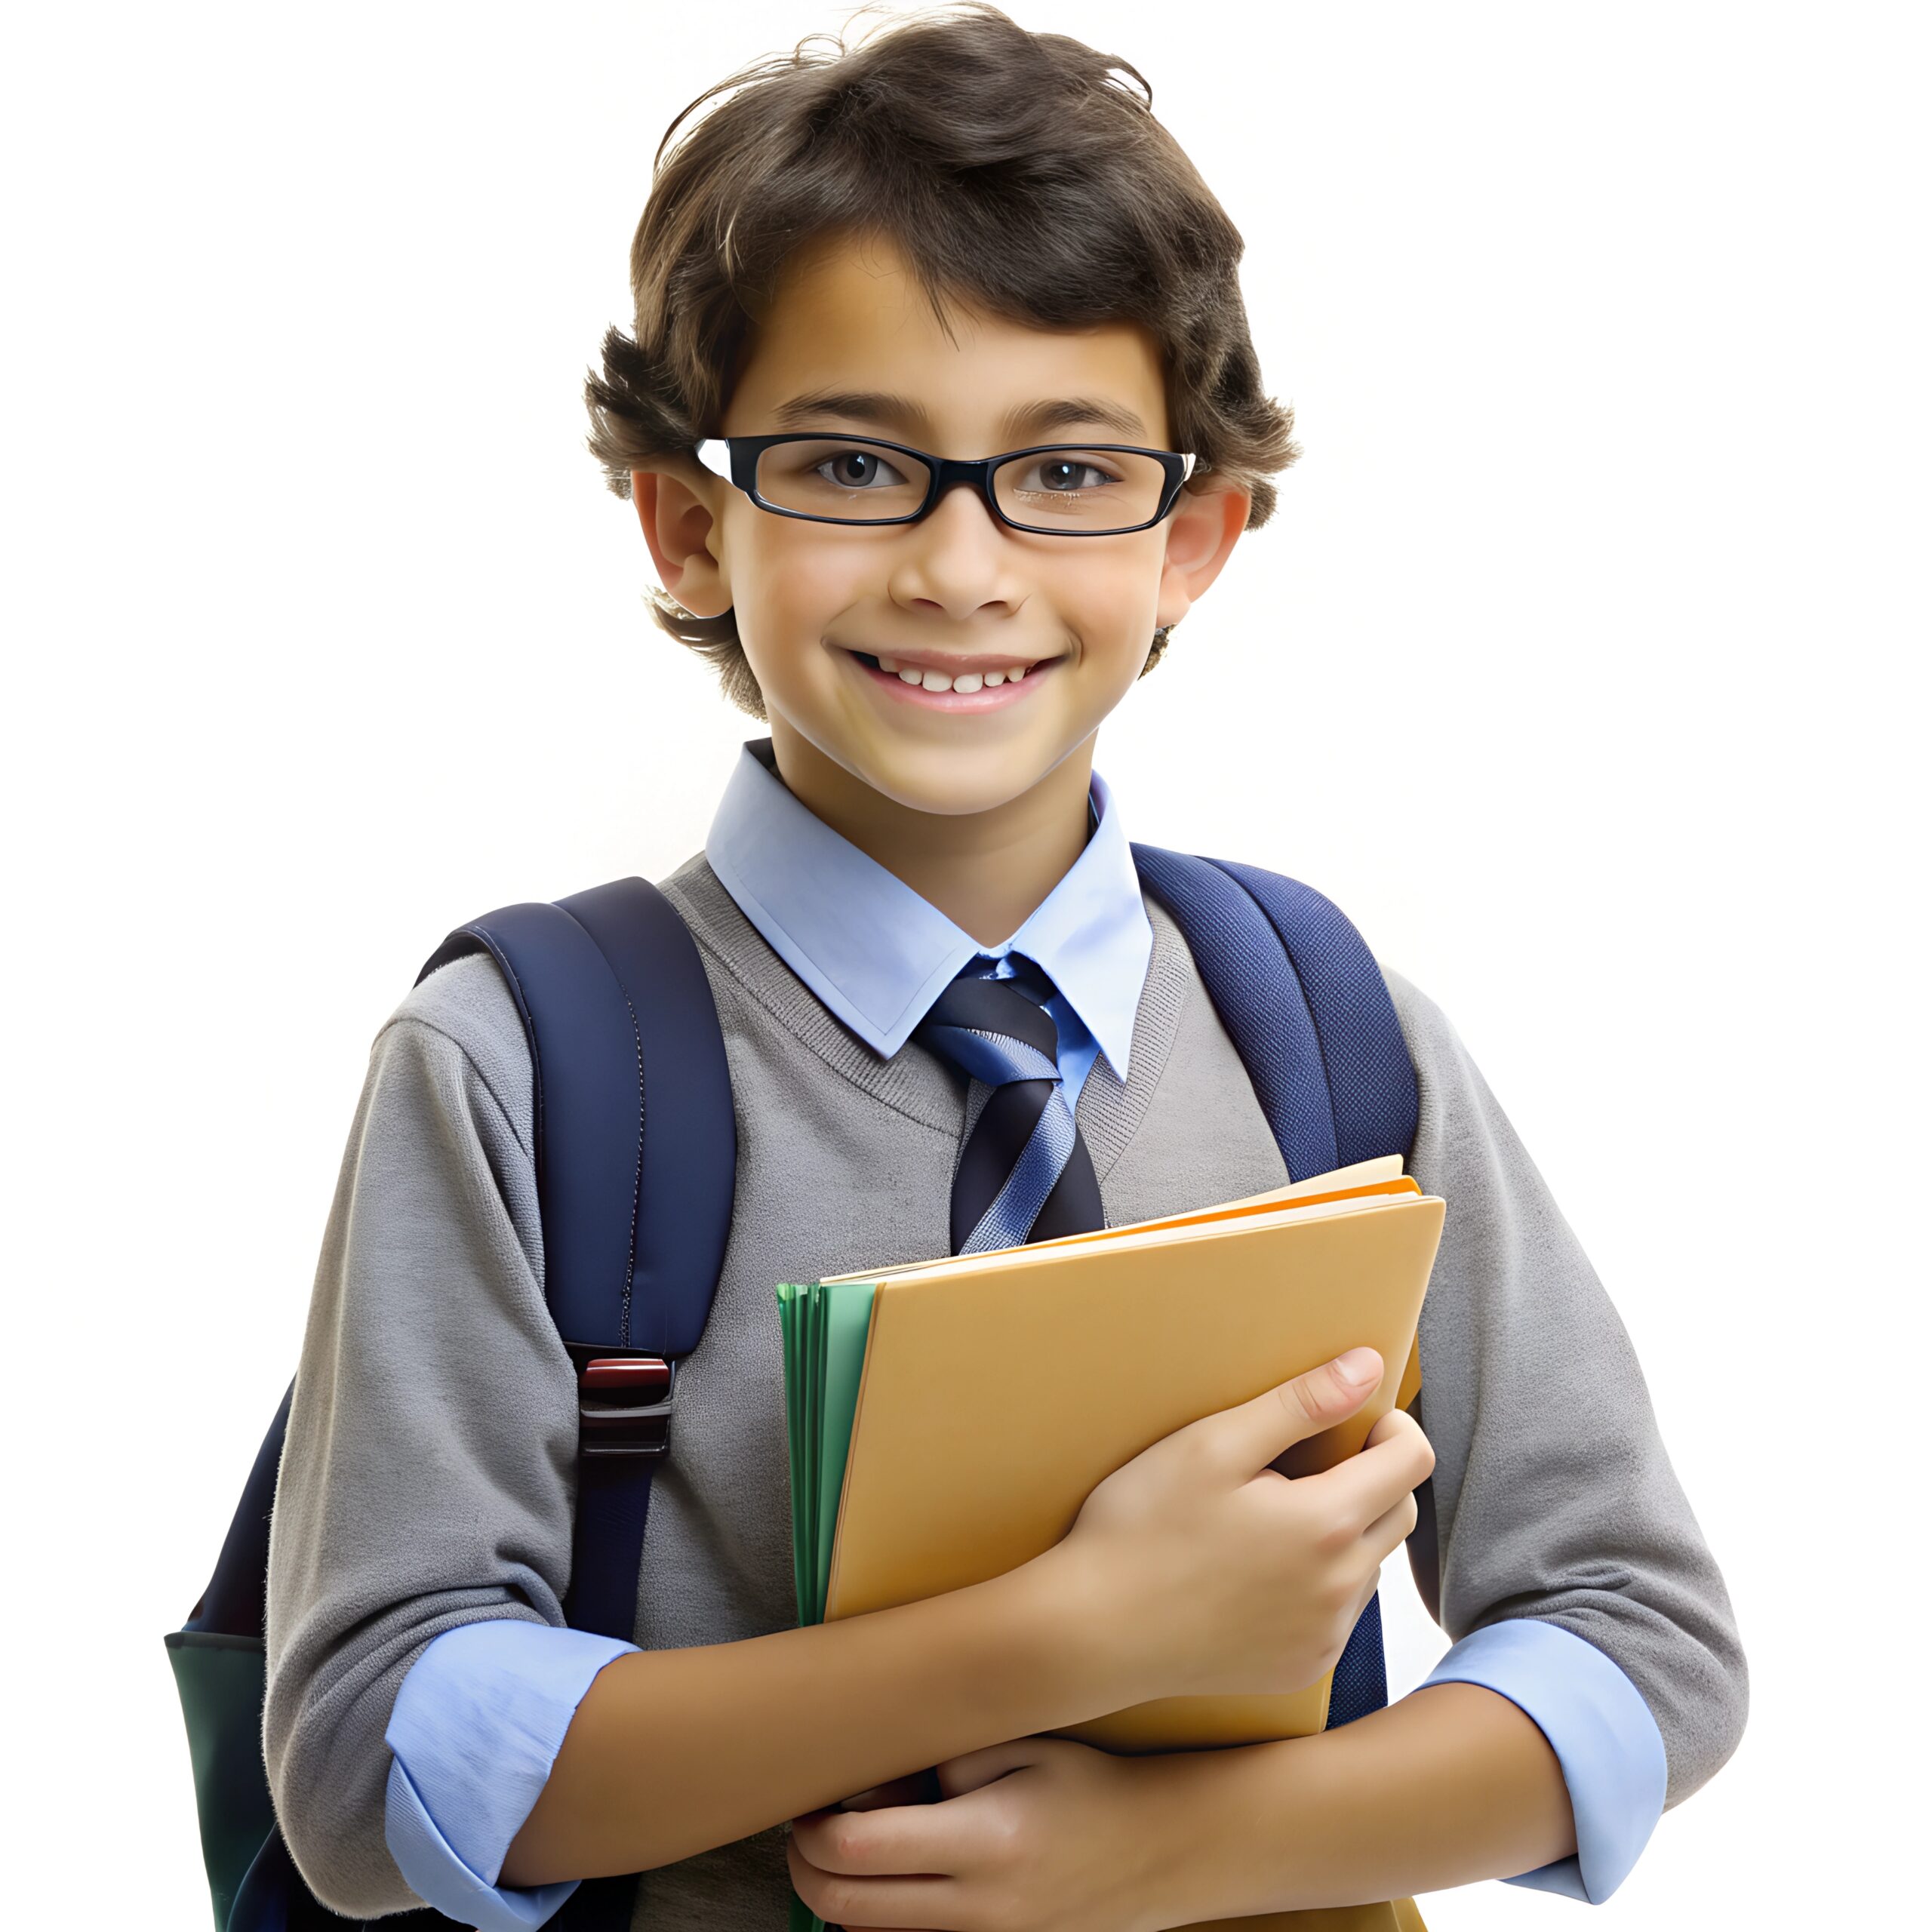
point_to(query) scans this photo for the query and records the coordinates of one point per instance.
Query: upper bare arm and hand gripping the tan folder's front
(675, 1751)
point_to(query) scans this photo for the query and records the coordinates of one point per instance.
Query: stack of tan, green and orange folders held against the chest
(950, 1419)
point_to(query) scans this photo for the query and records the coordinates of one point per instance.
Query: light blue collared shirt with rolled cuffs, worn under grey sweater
(486, 1707)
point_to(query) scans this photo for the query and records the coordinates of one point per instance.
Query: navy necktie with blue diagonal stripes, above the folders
(1025, 1172)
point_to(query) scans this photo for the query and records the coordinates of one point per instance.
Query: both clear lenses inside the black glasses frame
(1067, 488)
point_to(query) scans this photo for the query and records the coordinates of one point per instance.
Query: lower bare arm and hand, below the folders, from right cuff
(1448, 1786)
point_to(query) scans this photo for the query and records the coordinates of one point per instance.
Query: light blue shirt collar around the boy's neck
(878, 955)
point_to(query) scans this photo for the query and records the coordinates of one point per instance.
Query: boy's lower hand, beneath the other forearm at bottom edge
(1040, 1834)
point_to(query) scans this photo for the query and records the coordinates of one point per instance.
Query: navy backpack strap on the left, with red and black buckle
(637, 1168)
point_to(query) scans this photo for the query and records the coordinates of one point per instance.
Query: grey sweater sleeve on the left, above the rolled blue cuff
(428, 1477)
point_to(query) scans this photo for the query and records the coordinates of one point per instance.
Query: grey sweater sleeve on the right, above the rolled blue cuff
(1552, 1494)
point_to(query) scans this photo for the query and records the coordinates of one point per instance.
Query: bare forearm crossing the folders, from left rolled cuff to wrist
(677, 1751)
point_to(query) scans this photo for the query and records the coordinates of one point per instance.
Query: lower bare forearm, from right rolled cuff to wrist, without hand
(1448, 1786)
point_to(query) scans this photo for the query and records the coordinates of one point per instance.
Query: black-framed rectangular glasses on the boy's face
(1062, 490)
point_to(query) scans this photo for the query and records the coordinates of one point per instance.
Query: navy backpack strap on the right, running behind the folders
(1311, 1017)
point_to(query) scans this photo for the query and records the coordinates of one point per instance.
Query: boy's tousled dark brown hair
(1011, 169)
